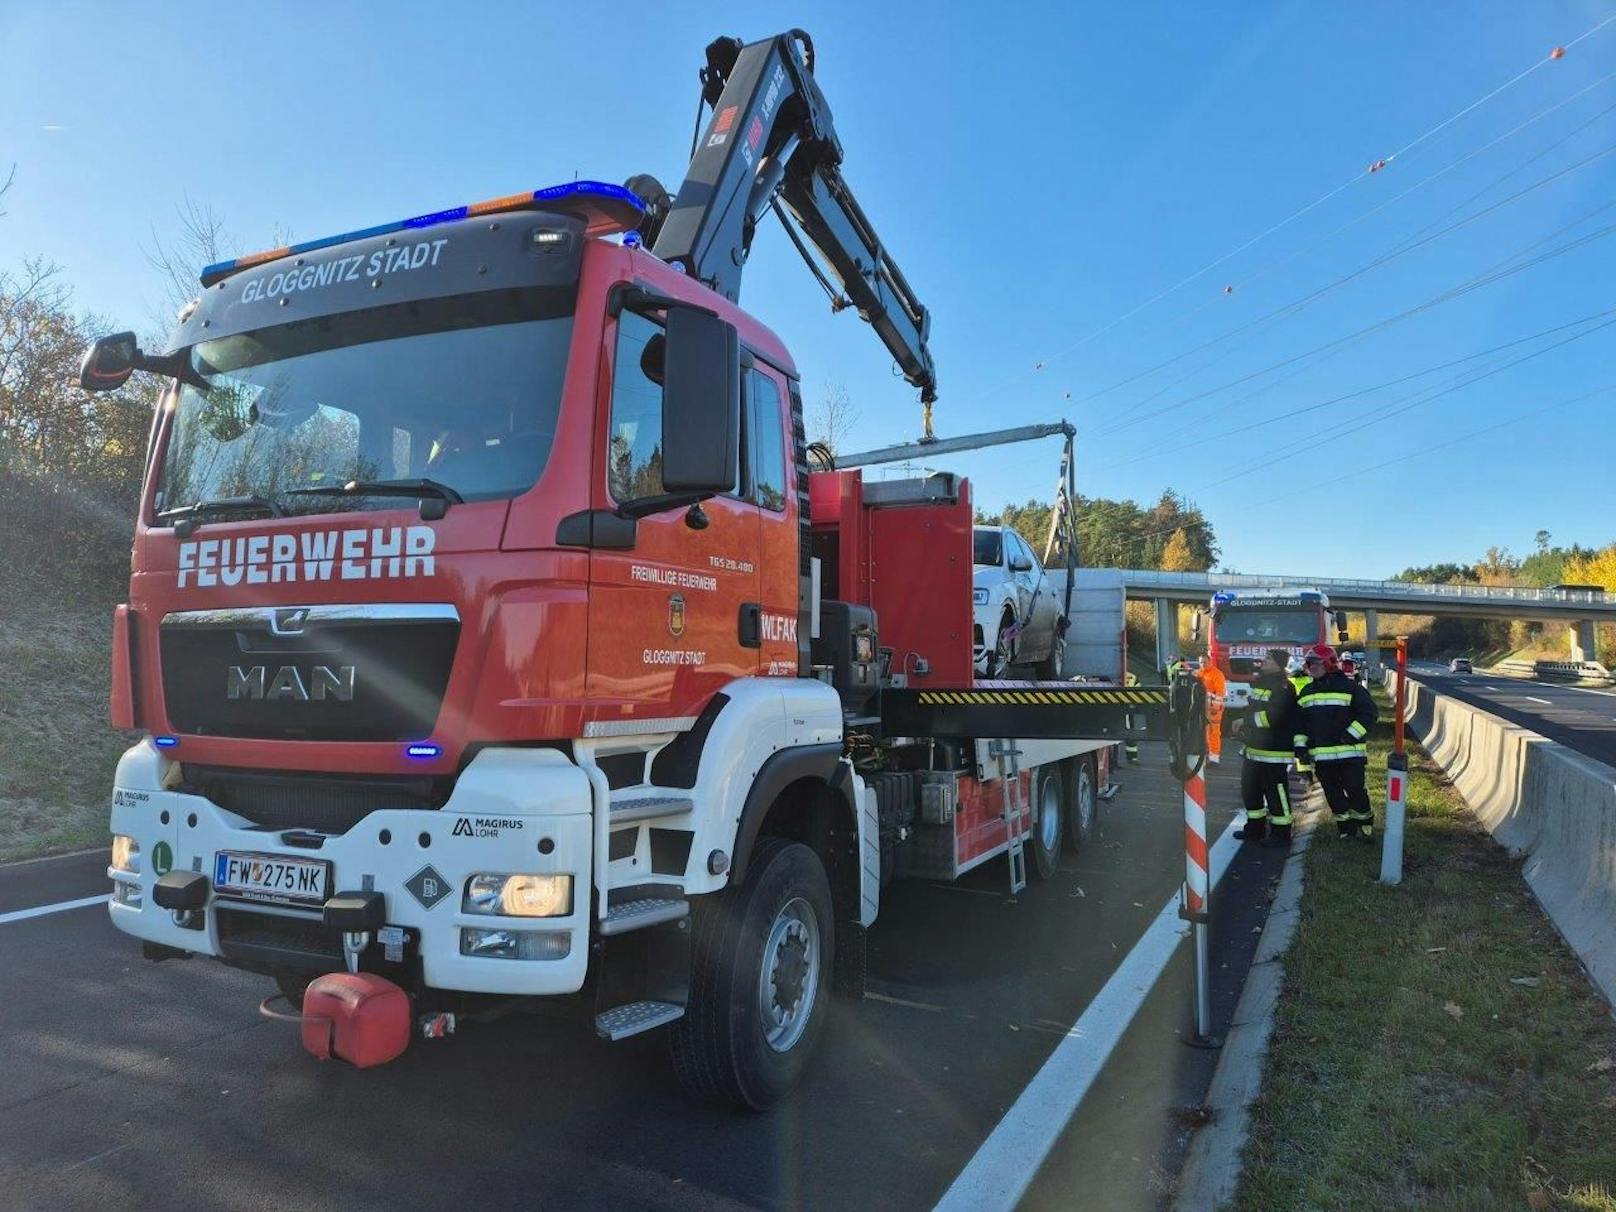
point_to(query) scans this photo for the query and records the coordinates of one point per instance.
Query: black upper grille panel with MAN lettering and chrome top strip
(309, 673)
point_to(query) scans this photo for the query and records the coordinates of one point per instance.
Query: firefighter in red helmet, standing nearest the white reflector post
(1334, 717)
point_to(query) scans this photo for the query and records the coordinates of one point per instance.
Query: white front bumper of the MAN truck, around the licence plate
(513, 812)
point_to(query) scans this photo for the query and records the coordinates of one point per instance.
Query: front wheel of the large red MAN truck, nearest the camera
(760, 978)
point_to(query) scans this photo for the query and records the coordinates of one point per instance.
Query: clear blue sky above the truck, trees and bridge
(1038, 170)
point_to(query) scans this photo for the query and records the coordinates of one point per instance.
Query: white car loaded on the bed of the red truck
(1017, 613)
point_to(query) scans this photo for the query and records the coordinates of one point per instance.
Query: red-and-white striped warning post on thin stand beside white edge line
(1189, 746)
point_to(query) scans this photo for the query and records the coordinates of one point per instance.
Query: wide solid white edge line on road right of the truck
(1004, 1166)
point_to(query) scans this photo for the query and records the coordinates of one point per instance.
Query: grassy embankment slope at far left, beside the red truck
(59, 762)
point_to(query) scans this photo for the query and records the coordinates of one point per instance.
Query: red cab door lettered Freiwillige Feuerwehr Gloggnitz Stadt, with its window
(667, 613)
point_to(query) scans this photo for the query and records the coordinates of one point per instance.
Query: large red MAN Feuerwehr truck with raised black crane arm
(486, 639)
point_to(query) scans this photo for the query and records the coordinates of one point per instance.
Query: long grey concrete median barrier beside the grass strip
(1542, 801)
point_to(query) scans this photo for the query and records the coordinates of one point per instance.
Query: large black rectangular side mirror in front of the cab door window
(701, 403)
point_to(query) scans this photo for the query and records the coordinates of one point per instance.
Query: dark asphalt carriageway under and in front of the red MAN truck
(135, 1085)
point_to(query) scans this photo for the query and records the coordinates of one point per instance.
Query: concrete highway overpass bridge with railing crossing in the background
(1580, 610)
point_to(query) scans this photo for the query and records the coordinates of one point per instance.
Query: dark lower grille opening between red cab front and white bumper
(332, 804)
